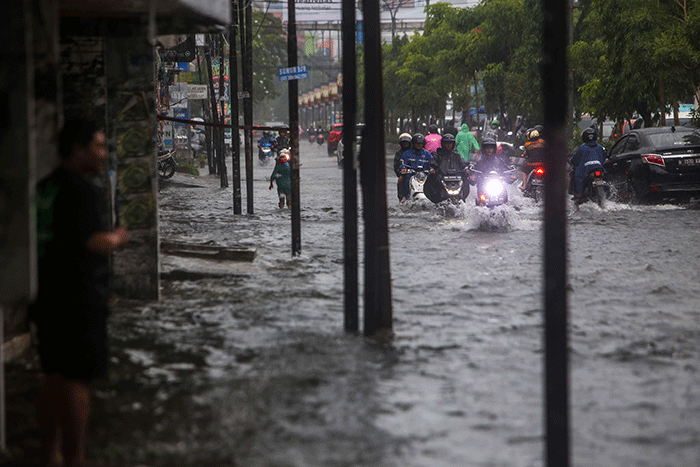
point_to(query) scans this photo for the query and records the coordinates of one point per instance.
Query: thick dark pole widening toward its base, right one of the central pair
(378, 313)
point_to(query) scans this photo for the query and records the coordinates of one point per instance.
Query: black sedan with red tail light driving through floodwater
(650, 164)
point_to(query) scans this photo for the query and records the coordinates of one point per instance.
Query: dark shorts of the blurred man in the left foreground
(73, 342)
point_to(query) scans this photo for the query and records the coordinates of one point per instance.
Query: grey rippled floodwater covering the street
(247, 364)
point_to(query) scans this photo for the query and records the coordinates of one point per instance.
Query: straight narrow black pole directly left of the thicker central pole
(349, 168)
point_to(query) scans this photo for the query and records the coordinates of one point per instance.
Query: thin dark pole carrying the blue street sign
(294, 129)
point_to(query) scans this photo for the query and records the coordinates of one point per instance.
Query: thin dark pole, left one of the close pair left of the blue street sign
(233, 86)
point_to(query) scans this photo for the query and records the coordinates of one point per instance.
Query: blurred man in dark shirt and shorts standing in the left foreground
(74, 242)
